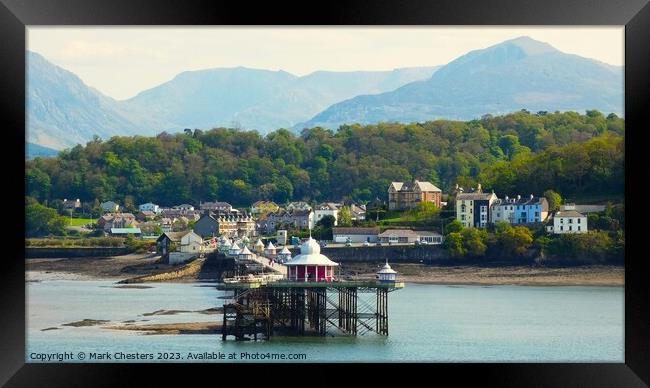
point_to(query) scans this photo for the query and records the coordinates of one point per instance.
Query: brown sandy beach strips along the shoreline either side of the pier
(128, 266)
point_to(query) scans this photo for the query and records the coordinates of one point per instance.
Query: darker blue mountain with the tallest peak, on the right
(517, 74)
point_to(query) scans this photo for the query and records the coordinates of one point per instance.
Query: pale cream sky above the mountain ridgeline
(121, 62)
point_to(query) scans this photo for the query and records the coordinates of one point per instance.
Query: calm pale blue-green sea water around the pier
(427, 323)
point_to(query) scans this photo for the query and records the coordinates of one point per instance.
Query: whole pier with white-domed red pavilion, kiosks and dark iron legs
(303, 297)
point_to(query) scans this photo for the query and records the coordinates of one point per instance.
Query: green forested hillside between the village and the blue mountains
(521, 152)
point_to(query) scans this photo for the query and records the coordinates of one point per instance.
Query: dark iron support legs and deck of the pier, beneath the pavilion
(262, 308)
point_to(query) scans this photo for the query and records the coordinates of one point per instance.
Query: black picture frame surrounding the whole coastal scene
(634, 14)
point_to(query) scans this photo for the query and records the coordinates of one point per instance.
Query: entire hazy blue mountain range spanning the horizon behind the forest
(516, 74)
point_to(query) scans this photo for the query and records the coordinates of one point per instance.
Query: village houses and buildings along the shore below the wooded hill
(185, 231)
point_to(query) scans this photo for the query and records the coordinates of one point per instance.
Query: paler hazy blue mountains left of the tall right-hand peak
(63, 111)
